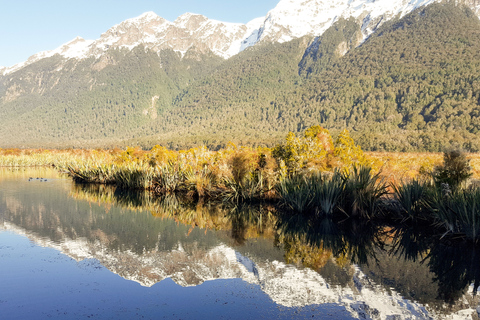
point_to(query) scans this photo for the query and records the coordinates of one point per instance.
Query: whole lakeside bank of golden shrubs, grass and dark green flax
(311, 175)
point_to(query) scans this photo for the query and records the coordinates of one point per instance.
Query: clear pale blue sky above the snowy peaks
(31, 26)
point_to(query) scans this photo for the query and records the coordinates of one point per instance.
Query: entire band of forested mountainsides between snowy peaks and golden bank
(411, 86)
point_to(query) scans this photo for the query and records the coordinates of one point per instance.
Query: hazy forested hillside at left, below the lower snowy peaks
(94, 102)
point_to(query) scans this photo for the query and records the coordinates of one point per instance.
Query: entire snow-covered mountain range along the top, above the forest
(288, 20)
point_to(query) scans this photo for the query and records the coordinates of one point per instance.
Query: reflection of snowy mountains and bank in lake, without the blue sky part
(370, 270)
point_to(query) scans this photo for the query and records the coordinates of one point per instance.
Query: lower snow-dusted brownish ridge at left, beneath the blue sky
(156, 33)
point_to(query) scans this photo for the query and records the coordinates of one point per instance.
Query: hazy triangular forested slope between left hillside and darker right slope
(236, 102)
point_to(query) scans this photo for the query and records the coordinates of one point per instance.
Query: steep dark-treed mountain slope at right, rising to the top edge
(412, 85)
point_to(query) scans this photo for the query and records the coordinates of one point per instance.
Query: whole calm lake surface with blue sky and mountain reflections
(91, 252)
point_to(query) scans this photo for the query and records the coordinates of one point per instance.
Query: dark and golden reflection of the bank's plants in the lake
(411, 260)
